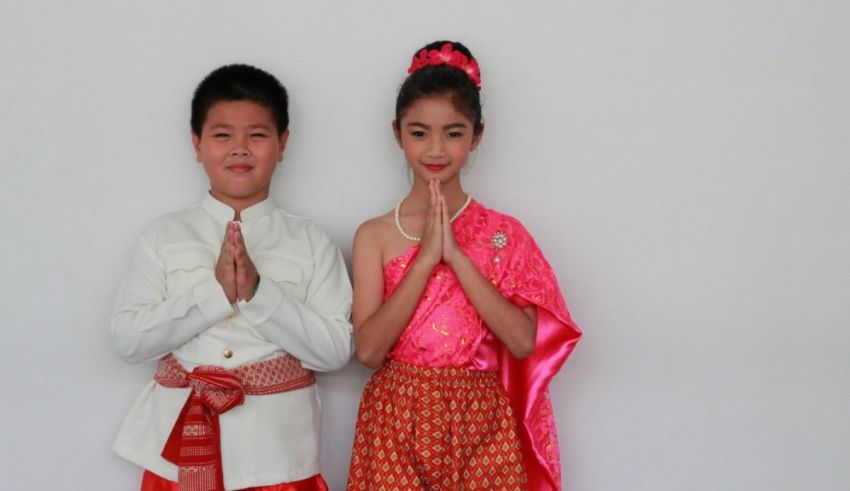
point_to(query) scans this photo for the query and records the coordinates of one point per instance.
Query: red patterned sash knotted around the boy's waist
(194, 444)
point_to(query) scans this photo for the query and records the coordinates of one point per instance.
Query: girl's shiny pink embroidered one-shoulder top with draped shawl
(447, 331)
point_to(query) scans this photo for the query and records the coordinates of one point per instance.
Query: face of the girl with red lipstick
(436, 139)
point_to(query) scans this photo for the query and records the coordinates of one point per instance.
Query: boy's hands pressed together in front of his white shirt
(234, 270)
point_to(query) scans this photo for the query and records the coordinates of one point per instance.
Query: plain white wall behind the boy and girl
(683, 164)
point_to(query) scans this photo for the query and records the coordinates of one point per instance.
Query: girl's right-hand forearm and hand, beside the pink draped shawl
(516, 328)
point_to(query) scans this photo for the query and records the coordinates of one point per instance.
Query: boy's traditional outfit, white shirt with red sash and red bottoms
(233, 404)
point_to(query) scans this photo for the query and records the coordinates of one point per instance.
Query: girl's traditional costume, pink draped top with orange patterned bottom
(451, 408)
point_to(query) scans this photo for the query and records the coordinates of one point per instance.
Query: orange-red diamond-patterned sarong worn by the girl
(438, 429)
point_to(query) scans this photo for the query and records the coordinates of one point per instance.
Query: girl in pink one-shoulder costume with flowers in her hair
(459, 309)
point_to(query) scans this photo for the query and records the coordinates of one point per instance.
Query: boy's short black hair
(240, 82)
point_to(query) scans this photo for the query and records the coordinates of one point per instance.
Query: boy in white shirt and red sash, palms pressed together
(240, 301)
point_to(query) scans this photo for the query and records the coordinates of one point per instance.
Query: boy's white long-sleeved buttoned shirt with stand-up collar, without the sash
(170, 301)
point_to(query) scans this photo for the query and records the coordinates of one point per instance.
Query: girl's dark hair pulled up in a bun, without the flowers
(442, 80)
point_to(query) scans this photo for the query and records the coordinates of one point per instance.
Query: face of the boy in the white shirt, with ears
(239, 147)
